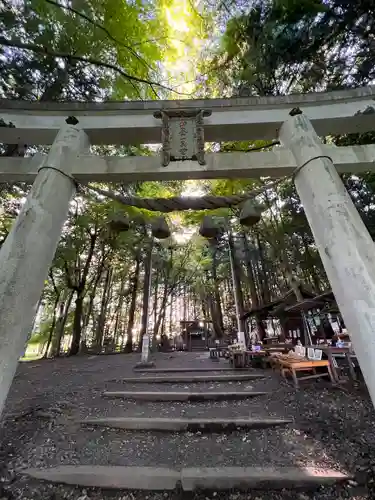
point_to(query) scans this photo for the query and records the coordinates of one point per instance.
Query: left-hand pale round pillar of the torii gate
(27, 253)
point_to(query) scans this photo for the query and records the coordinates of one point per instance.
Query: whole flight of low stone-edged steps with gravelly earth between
(190, 429)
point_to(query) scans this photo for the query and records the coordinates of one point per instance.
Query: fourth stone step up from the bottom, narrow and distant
(191, 379)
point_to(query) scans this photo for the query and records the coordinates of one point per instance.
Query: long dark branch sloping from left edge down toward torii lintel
(87, 60)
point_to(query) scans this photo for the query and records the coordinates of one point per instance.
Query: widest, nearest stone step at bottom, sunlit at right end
(189, 479)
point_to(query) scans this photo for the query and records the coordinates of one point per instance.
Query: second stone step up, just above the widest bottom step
(184, 424)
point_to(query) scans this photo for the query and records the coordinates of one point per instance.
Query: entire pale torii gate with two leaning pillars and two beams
(345, 246)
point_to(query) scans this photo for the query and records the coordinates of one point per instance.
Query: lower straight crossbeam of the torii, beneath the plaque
(277, 163)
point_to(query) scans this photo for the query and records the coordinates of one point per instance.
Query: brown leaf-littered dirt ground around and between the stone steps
(331, 428)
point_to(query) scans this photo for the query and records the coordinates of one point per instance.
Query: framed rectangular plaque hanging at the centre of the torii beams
(182, 135)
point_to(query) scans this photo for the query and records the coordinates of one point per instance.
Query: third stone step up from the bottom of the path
(183, 396)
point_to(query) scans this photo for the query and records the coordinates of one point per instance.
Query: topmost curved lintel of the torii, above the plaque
(133, 122)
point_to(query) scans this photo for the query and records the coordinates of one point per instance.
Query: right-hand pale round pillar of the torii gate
(345, 246)
